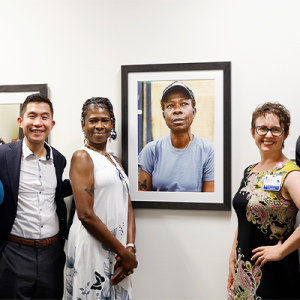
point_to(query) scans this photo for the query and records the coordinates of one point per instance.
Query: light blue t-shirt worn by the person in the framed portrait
(178, 170)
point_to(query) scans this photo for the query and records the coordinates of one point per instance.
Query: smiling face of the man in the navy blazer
(37, 122)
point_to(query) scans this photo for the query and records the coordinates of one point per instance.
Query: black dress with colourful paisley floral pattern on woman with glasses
(263, 217)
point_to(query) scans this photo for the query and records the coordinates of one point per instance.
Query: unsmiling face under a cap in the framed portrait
(178, 112)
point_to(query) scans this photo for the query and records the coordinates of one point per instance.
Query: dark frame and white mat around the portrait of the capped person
(220, 72)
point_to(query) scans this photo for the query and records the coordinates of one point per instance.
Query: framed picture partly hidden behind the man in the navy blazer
(11, 97)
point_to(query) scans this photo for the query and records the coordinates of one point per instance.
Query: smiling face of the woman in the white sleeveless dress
(97, 126)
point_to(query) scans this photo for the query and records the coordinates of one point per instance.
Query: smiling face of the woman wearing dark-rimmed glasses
(269, 142)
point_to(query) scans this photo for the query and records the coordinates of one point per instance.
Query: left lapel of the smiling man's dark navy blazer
(13, 159)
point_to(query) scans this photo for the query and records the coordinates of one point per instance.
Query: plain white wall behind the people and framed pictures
(78, 47)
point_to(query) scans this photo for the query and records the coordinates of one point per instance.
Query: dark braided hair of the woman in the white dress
(104, 103)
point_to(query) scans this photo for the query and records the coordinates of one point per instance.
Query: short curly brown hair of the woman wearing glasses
(274, 108)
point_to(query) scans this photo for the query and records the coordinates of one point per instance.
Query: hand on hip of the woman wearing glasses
(268, 253)
